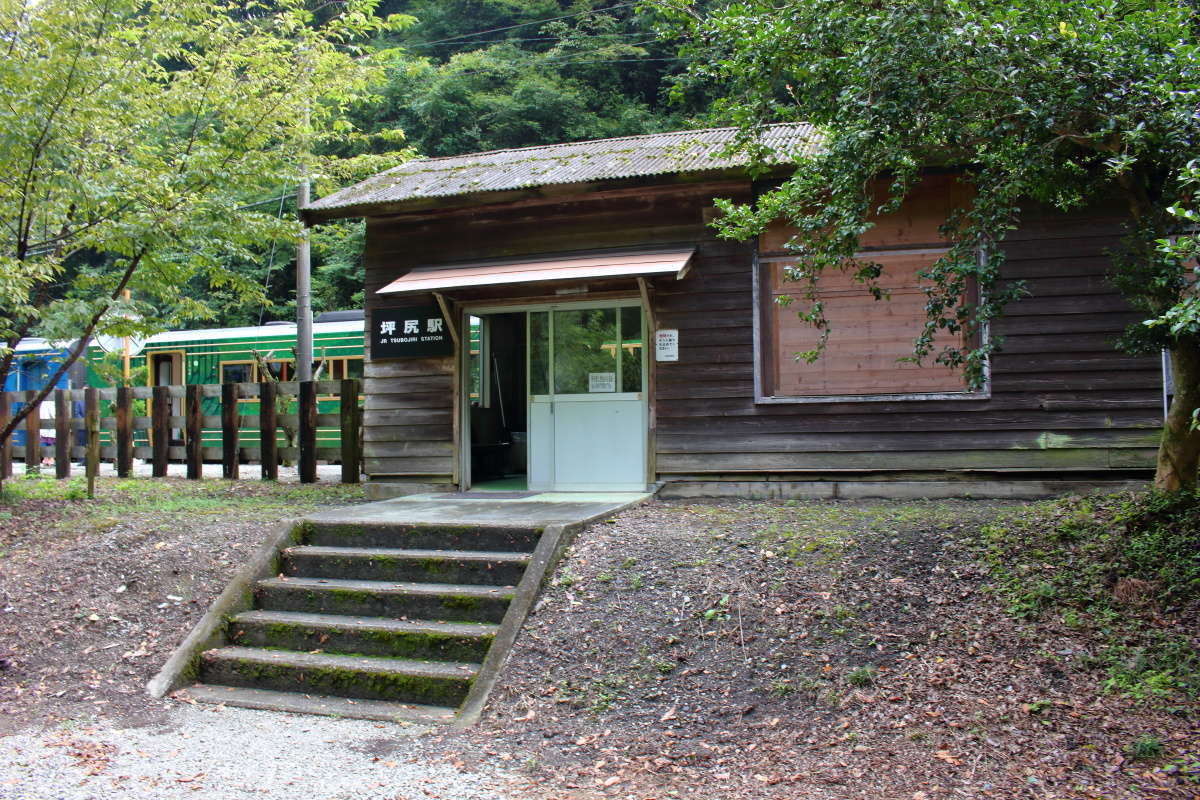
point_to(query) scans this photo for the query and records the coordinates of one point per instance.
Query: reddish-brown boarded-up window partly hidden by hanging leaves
(868, 339)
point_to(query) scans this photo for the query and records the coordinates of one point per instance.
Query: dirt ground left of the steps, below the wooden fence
(97, 594)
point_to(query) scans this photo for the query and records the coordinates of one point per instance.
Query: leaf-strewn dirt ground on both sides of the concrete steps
(709, 651)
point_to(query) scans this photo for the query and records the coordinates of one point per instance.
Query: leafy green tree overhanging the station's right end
(1051, 101)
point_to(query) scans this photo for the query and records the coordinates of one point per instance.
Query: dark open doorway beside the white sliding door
(500, 404)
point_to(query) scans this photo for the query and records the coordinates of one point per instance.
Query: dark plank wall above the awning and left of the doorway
(407, 418)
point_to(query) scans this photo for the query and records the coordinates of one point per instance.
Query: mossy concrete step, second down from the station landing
(418, 566)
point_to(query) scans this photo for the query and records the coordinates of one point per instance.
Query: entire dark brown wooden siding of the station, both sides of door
(1061, 399)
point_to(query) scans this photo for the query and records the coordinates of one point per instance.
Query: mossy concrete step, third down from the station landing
(425, 601)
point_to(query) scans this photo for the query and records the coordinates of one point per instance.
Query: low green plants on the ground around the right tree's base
(1111, 567)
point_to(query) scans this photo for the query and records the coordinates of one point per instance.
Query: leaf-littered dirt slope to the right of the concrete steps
(809, 651)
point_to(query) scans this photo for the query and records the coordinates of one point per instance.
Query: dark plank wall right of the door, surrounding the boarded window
(1061, 398)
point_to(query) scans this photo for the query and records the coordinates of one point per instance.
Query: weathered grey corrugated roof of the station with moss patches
(657, 154)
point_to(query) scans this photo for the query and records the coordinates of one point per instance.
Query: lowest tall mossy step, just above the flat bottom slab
(401, 681)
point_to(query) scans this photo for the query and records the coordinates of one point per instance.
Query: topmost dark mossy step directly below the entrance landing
(422, 537)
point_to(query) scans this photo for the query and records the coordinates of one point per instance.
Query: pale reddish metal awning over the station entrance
(555, 268)
